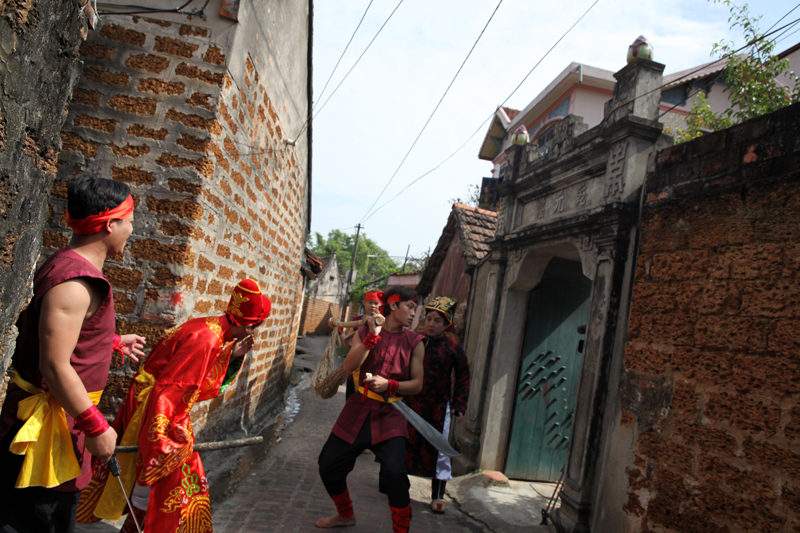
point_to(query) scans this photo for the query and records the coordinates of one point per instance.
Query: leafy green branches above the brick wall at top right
(751, 75)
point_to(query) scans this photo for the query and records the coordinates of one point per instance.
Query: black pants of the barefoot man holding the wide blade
(338, 459)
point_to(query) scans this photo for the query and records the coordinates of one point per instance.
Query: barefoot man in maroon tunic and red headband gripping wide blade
(388, 362)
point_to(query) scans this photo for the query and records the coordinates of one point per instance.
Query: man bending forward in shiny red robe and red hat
(165, 478)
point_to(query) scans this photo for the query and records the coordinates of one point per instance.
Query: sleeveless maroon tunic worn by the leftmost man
(91, 358)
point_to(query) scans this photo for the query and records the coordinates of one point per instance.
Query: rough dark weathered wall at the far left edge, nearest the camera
(38, 68)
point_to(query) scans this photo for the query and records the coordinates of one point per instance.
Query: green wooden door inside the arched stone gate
(545, 393)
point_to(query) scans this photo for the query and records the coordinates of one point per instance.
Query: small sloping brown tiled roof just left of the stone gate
(476, 227)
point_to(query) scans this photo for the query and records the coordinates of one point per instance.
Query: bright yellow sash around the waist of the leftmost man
(44, 439)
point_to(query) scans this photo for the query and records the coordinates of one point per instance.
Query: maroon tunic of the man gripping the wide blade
(390, 358)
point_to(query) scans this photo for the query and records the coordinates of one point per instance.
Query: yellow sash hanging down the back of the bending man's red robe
(111, 504)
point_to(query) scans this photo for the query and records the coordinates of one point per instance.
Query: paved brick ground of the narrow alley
(284, 492)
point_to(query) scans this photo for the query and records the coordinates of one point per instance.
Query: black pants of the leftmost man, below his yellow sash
(35, 509)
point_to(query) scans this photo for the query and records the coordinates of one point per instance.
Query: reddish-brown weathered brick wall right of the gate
(712, 365)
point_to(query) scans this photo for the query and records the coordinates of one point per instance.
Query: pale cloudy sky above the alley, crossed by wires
(363, 132)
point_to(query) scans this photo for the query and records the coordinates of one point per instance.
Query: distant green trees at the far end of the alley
(367, 268)
